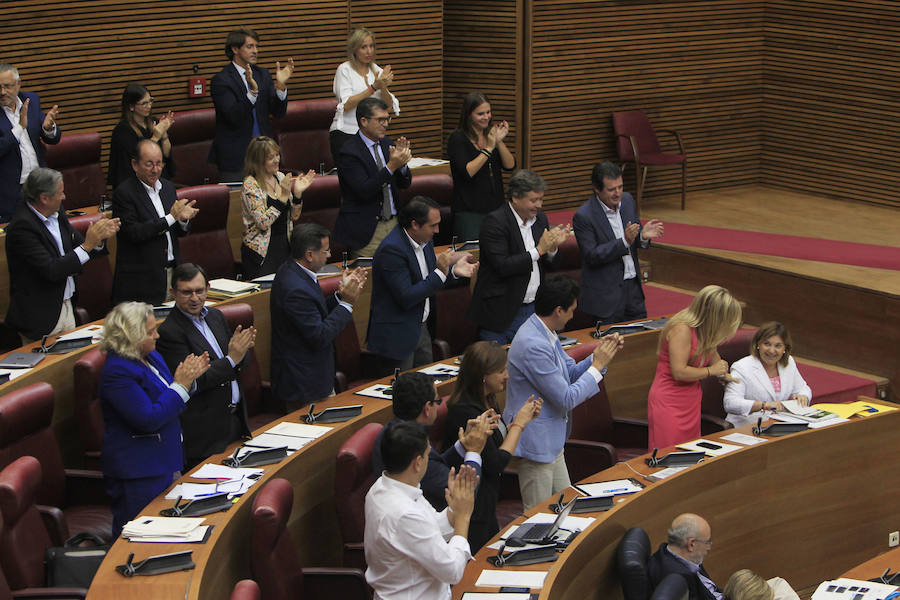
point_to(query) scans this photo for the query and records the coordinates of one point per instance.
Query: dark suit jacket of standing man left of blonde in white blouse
(234, 121)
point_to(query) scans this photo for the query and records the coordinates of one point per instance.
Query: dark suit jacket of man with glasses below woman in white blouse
(361, 196)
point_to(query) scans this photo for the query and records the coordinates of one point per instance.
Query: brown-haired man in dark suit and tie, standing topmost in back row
(244, 96)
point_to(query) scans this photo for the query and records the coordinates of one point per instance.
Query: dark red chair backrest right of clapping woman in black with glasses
(191, 135)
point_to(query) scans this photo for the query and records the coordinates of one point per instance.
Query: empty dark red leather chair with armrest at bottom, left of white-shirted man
(273, 554)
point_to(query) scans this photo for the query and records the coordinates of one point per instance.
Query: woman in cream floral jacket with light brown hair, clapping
(270, 203)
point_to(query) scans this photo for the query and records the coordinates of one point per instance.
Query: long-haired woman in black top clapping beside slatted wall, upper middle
(478, 158)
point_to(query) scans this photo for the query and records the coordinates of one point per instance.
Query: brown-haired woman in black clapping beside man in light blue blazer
(482, 375)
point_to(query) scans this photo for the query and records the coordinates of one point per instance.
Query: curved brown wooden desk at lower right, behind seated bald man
(804, 506)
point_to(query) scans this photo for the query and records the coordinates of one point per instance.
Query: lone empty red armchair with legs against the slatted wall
(636, 142)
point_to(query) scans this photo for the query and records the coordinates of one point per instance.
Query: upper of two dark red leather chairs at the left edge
(25, 430)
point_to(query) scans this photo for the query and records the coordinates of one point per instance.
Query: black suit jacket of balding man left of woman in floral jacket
(140, 272)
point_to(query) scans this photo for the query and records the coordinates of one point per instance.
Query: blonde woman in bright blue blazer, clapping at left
(141, 401)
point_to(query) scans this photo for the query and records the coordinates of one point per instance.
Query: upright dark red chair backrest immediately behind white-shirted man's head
(352, 479)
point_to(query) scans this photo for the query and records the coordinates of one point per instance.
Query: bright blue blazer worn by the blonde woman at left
(141, 435)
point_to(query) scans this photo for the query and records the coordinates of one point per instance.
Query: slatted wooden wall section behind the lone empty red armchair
(695, 66)
